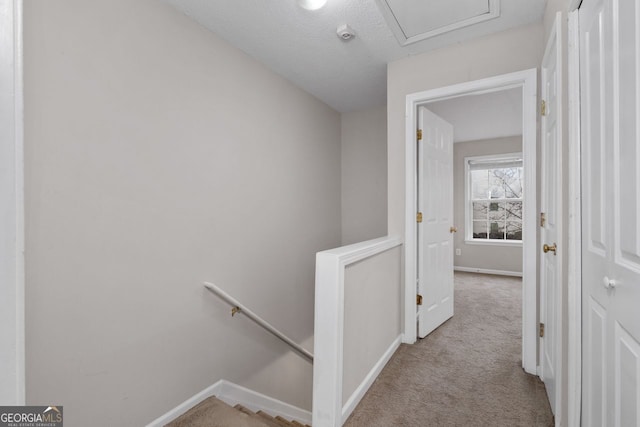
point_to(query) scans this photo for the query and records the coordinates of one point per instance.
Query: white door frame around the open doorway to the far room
(527, 80)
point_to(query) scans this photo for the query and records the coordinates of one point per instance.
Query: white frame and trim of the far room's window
(468, 203)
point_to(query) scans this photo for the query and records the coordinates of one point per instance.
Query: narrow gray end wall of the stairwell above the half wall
(364, 175)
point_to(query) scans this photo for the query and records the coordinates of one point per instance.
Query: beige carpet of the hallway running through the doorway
(466, 373)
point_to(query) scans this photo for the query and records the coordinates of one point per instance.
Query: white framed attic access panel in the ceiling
(415, 20)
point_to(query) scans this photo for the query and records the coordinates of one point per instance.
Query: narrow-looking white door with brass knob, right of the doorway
(550, 206)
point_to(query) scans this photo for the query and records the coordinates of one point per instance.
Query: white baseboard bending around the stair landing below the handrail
(233, 394)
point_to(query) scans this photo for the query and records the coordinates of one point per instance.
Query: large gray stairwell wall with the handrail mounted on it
(159, 157)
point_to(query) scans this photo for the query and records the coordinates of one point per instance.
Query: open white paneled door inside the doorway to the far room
(435, 203)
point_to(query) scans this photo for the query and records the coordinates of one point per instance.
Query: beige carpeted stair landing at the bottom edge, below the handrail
(213, 412)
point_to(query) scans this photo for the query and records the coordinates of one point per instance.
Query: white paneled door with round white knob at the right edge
(610, 146)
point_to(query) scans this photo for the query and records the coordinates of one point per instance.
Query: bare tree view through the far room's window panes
(496, 203)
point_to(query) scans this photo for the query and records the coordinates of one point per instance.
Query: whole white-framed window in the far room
(494, 199)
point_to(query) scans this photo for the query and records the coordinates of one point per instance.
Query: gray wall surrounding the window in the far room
(491, 257)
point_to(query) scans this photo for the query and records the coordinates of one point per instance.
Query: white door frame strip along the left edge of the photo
(12, 321)
